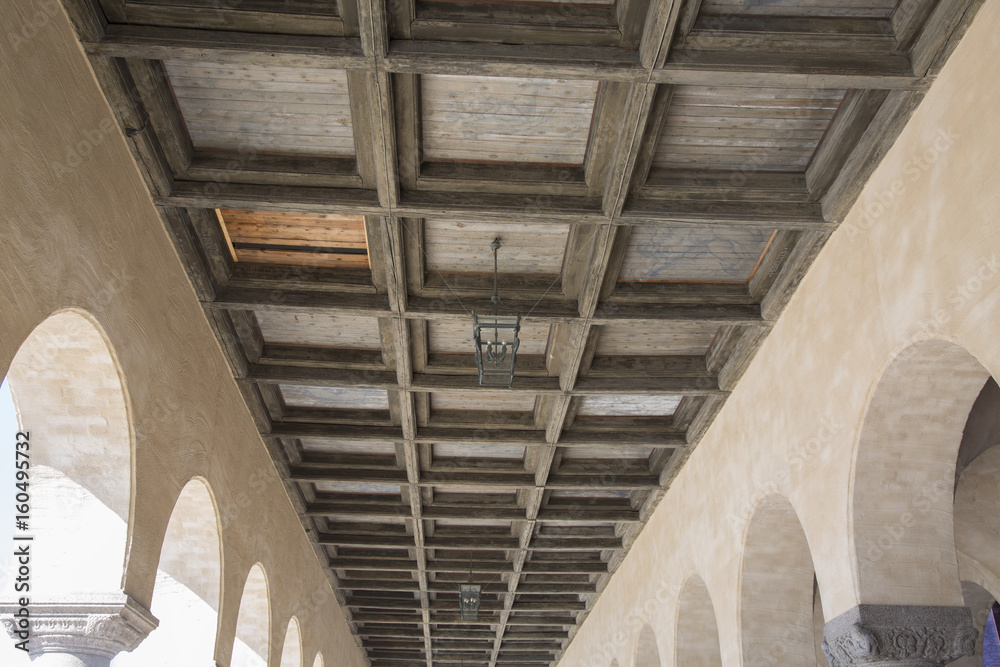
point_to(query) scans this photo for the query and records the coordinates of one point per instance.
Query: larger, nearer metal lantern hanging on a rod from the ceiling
(496, 339)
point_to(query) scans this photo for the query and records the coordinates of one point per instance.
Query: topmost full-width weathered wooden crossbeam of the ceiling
(804, 67)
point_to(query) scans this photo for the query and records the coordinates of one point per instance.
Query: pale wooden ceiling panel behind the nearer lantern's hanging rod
(457, 246)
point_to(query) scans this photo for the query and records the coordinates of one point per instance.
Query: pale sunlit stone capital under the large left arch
(79, 631)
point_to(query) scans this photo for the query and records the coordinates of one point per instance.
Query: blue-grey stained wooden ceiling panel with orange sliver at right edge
(701, 255)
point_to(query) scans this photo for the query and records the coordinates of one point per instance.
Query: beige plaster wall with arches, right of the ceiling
(916, 258)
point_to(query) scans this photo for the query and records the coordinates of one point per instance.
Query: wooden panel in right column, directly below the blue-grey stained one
(664, 340)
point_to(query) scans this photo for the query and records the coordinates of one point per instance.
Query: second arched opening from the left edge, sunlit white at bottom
(188, 580)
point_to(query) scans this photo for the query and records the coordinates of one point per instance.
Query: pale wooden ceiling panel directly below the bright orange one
(319, 329)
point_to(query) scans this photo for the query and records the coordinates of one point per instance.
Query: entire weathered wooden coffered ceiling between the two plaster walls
(661, 174)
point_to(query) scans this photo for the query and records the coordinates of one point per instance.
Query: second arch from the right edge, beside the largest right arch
(776, 588)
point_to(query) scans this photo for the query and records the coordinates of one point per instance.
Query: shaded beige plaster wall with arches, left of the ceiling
(79, 231)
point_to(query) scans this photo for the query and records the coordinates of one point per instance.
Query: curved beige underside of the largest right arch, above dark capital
(904, 476)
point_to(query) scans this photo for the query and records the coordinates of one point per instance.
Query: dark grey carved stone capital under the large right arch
(898, 635)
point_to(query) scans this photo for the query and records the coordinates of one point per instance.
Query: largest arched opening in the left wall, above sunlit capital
(68, 391)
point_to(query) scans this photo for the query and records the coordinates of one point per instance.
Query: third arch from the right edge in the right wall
(697, 638)
